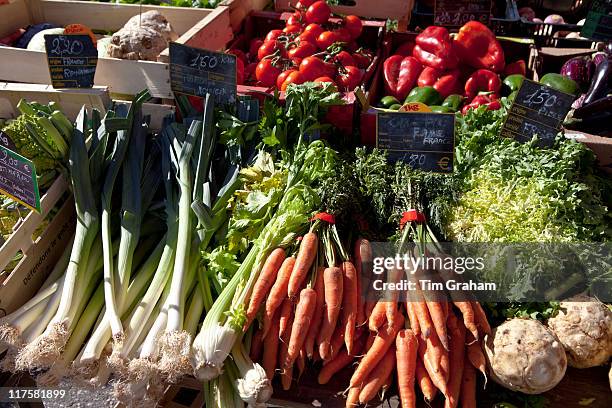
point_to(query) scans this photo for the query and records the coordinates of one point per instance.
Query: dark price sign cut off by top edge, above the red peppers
(455, 13)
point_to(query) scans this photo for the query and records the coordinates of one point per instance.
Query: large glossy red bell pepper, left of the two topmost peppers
(434, 48)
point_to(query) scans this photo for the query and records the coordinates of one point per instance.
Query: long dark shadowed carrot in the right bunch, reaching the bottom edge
(457, 357)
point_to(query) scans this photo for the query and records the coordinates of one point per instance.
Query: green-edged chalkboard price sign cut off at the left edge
(18, 179)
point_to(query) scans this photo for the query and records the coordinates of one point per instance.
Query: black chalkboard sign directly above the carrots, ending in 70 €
(424, 141)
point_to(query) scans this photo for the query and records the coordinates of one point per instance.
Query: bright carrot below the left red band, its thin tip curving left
(332, 279)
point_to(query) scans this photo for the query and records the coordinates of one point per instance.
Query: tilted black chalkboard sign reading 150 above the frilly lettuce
(537, 109)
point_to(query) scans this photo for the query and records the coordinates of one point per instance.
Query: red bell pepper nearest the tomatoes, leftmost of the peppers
(401, 74)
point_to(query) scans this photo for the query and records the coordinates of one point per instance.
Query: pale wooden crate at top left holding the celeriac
(197, 28)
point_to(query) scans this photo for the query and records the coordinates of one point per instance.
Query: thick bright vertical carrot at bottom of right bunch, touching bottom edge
(406, 346)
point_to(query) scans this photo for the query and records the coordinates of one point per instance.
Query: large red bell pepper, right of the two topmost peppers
(478, 47)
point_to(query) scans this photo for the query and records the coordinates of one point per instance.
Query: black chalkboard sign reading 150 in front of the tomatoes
(198, 72)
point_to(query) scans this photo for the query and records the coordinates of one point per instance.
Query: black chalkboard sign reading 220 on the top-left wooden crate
(72, 60)
